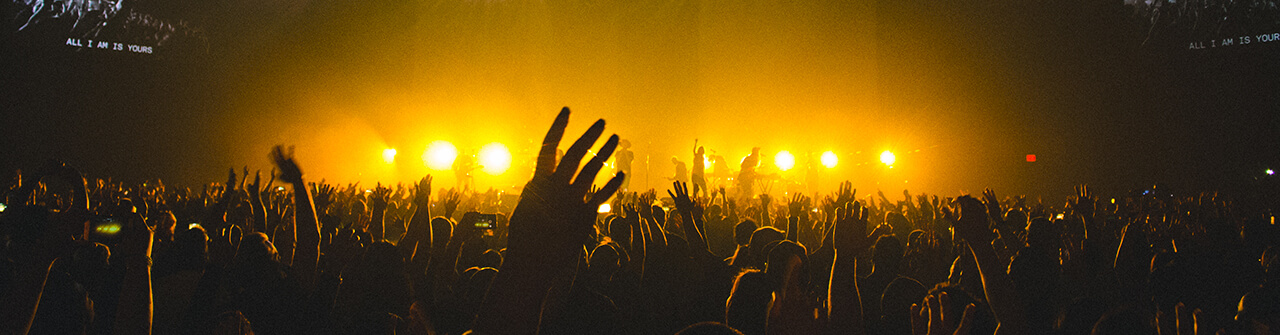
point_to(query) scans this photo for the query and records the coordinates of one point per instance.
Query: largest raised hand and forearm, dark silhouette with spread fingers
(550, 228)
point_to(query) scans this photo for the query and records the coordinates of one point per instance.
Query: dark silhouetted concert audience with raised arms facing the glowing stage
(292, 256)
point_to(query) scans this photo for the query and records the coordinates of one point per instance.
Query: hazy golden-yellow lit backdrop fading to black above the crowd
(975, 86)
